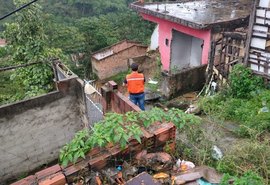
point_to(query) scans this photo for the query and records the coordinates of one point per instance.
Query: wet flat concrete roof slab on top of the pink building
(202, 14)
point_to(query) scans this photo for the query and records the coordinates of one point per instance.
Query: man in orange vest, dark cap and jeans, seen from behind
(135, 85)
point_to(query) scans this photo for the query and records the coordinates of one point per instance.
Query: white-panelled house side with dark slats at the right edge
(258, 53)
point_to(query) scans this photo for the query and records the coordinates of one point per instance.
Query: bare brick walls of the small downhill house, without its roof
(116, 63)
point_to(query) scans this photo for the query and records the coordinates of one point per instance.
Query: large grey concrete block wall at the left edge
(33, 131)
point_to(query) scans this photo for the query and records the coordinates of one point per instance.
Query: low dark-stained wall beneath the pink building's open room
(188, 80)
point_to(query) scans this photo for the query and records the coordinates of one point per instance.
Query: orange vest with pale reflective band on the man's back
(135, 82)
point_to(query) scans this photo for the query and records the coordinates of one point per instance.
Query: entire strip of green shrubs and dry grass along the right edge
(245, 102)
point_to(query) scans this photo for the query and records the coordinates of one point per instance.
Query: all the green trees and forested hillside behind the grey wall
(72, 27)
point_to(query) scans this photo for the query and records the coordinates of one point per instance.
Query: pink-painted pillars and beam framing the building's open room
(165, 32)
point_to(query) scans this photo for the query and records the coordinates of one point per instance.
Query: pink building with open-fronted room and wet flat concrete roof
(187, 28)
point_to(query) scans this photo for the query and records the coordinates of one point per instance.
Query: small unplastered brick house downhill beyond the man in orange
(114, 59)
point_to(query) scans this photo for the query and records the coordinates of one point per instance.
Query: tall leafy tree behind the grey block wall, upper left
(27, 43)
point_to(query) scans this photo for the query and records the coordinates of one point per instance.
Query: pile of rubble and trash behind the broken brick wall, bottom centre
(157, 168)
